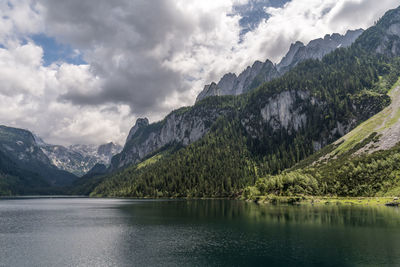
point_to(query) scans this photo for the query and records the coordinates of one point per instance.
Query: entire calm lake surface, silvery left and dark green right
(112, 232)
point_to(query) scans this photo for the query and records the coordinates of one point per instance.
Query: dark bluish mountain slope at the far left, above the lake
(24, 166)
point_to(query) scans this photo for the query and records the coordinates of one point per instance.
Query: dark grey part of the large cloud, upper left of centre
(118, 39)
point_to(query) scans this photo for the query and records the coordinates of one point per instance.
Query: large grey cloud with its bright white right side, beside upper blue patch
(133, 46)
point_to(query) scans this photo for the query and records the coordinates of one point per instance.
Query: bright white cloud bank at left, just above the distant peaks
(29, 99)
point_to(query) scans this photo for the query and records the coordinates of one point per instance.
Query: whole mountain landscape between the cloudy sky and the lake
(324, 121)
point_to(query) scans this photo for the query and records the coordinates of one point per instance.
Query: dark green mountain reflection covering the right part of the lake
(235, 233)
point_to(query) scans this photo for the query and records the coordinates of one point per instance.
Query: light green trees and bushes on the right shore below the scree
(366, 175)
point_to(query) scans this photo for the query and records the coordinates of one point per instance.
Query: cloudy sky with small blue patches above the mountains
(83, 71)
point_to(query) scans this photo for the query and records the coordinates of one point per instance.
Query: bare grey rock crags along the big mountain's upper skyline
(187, 127)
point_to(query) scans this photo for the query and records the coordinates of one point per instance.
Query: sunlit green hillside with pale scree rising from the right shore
(365, 162)
